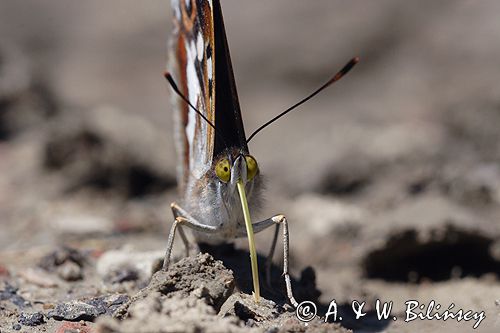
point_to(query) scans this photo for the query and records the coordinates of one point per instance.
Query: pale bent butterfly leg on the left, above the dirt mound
(182, 218)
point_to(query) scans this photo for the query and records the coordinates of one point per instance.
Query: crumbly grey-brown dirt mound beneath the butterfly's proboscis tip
(196, 295)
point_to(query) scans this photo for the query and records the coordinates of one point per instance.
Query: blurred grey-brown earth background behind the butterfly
(391, 178)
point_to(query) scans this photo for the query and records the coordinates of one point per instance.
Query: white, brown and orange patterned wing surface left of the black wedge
(192, 62)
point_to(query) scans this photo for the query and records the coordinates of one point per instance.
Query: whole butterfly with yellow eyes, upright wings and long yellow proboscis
(219, 181)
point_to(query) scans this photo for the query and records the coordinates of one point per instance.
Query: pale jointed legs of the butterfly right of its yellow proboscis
(278, 220)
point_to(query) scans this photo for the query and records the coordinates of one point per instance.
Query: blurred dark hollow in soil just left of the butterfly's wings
(93, 163)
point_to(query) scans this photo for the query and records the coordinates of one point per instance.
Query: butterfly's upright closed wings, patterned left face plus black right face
(199, 56)
